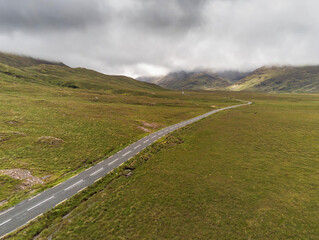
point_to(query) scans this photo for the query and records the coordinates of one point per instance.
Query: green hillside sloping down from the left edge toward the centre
(30, 70)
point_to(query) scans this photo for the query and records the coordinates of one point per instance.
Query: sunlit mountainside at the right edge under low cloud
(280, 79)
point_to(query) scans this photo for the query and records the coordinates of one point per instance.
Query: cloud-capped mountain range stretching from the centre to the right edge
(264, 79)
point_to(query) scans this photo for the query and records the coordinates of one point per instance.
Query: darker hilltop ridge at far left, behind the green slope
(23, 61)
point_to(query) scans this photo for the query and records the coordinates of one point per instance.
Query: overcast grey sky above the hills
(152, 37)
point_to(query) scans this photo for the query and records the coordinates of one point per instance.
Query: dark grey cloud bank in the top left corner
(52, 15)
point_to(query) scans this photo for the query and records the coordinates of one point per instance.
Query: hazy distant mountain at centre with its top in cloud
(196, 80)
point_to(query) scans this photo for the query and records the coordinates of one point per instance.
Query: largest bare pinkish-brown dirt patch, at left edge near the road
(28, 179)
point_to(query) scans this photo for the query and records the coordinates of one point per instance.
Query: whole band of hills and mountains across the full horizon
(285, 79)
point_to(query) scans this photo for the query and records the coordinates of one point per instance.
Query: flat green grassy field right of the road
(246, 173)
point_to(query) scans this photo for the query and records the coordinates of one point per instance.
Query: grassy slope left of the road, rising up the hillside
(98, 118)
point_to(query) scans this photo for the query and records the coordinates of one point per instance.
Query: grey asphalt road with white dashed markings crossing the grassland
(27, 210)
